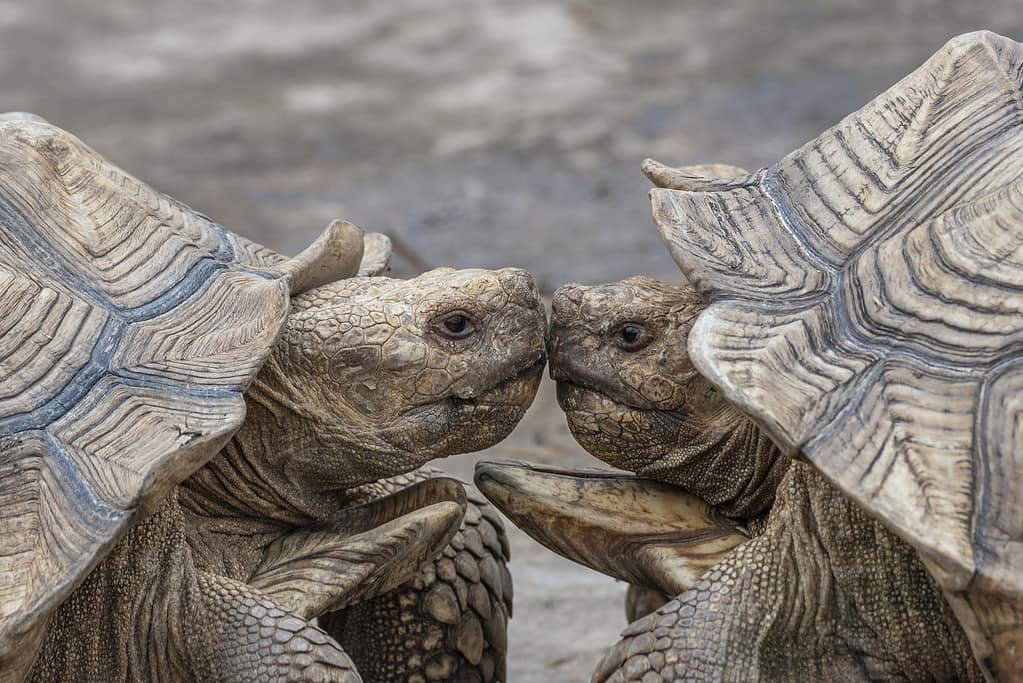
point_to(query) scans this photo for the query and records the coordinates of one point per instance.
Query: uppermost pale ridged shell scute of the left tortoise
(103, 234)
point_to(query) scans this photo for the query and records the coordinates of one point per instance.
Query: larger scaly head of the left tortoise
(390, 374)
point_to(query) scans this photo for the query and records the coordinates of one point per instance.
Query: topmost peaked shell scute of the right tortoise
(957, 116)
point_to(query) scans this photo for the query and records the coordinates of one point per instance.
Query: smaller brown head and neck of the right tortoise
(635, 400)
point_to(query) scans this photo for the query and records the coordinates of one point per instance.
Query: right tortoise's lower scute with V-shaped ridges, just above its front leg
(909, 460)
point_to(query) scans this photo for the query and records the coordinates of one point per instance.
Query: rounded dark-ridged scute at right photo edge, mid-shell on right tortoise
(945, 288)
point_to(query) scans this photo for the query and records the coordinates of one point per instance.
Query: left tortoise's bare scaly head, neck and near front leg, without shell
(366, 383)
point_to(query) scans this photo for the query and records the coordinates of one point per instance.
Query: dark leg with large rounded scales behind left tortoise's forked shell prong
(451, 621)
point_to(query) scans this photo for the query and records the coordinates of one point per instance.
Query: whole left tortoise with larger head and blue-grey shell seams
(194, 429)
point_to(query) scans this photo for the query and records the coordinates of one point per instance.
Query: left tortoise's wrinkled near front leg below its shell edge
(150, 614)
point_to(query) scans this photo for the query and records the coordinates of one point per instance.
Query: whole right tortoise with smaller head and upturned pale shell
(838, 378)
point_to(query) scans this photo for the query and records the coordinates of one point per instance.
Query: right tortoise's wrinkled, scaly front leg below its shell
(825, 594)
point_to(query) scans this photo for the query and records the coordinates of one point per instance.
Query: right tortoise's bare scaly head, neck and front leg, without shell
(822, 593)
